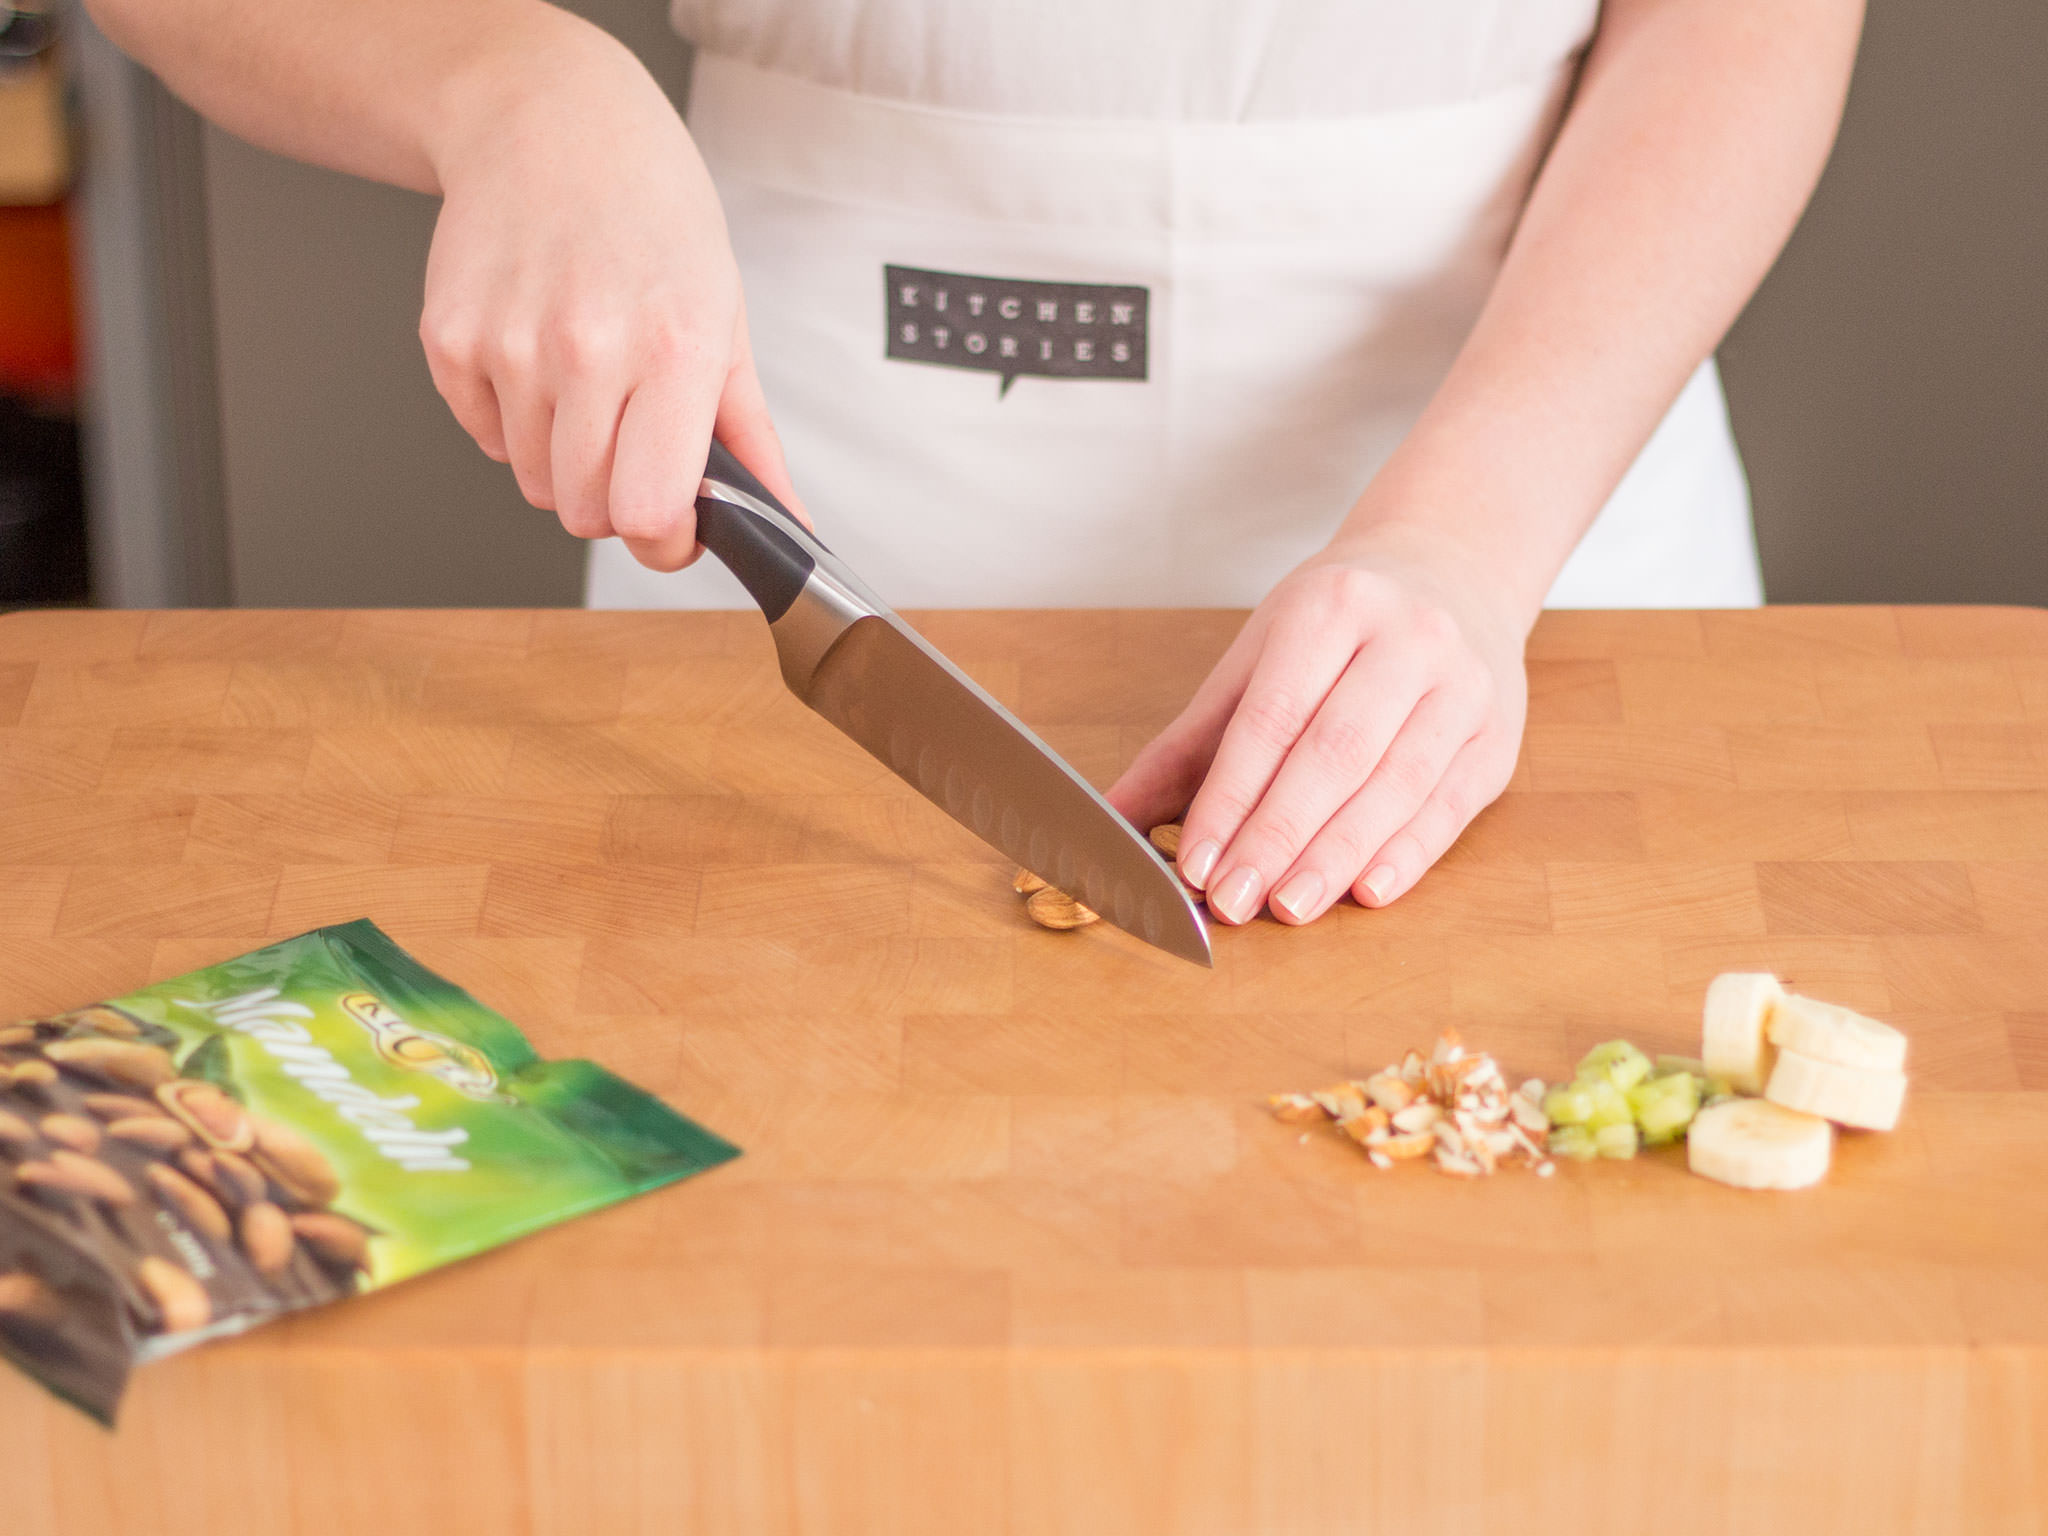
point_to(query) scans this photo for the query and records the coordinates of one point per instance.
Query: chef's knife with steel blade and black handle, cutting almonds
(849, 656)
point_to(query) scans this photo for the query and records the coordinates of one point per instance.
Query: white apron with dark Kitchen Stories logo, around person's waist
(1306, 288)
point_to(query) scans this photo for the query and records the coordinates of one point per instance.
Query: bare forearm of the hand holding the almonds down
(1695, 142)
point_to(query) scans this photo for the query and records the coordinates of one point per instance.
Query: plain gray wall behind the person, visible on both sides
(1889, 384)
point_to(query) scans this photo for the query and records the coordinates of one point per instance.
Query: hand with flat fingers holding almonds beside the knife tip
(1369, 710)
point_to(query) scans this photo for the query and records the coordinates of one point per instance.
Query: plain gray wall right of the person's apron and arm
(1889, 382)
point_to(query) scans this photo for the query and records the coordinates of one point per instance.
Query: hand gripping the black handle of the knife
(583, 306)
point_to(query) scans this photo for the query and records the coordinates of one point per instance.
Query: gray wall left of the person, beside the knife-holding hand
(349, 482)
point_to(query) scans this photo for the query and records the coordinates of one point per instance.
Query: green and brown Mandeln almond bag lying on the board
(280, 1132)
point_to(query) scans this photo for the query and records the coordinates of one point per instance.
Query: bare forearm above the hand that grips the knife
(382, 89)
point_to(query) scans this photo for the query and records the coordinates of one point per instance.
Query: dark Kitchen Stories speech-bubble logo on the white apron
(1015, 327)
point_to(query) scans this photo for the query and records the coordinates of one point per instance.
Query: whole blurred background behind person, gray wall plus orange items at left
(212, 390)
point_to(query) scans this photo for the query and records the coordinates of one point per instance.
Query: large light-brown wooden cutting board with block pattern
(1015, 1246)
